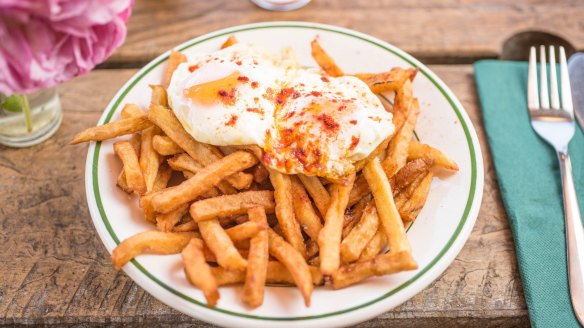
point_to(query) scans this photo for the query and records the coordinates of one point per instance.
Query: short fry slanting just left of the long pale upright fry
(356, 241)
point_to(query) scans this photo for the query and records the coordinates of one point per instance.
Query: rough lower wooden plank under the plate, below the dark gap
(56, 272)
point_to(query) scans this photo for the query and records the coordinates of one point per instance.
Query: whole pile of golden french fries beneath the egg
(235, 221)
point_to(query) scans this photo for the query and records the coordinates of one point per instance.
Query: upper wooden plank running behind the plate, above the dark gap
(434, 31)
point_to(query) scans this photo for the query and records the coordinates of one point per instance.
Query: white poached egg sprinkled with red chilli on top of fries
(306, 122)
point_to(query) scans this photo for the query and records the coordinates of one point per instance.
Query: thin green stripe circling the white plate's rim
(244, 315)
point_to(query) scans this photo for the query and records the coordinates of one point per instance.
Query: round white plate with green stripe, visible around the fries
(436, 237)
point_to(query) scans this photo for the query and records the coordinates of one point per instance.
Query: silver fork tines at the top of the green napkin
(543, 105)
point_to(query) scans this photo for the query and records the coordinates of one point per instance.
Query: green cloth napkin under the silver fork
(529, 178)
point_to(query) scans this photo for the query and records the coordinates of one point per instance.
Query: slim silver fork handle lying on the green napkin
(574, 237)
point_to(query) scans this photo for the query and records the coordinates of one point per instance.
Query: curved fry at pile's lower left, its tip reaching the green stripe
(150, 242)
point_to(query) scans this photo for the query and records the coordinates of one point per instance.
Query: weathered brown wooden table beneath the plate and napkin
(55, 271)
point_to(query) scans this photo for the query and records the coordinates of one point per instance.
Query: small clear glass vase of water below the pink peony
(45, 119)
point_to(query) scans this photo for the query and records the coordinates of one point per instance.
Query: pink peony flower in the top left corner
(46, 42)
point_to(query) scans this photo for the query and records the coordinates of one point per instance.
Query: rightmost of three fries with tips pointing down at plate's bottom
(294, 262)
